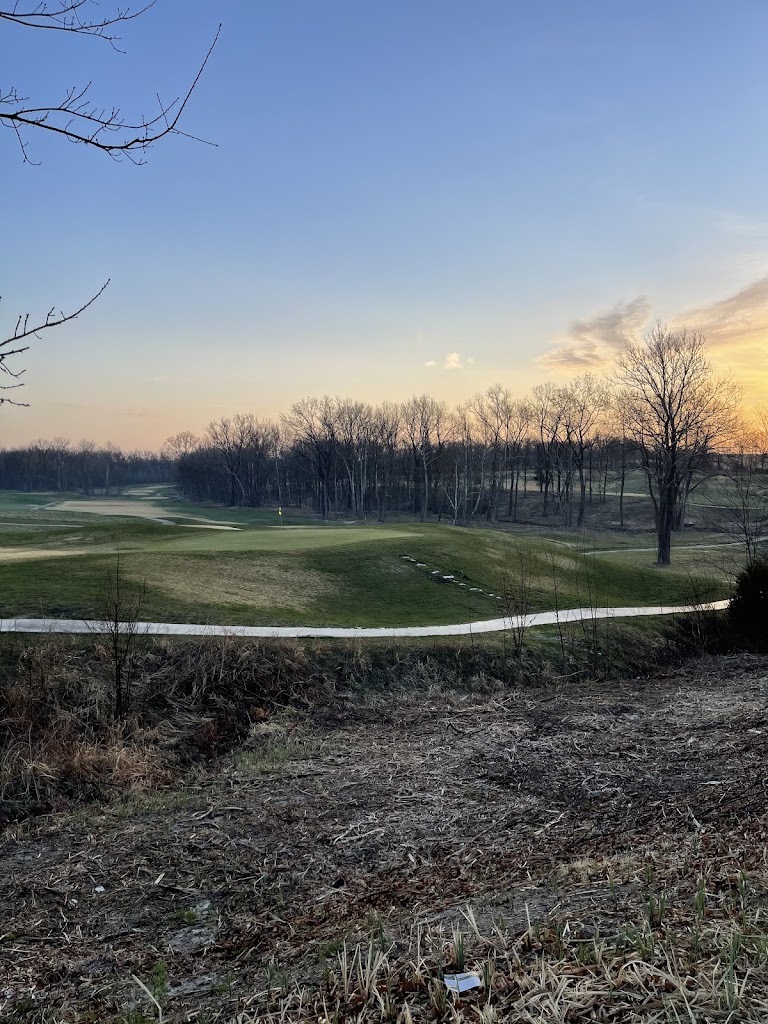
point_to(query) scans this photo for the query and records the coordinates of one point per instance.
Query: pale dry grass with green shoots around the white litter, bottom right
(701, 964)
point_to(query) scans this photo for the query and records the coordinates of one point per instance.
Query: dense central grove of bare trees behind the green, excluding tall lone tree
(344, 457)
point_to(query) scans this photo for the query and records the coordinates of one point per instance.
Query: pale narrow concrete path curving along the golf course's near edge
(460, 629)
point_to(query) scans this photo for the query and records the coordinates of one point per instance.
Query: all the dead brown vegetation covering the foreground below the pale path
(590, 850)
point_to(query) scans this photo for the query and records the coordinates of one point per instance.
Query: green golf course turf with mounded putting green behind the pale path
(54, 557)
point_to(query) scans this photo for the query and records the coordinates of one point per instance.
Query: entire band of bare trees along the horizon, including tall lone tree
(552, 453)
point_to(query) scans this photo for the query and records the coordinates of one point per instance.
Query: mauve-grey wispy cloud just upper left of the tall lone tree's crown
(594, 343)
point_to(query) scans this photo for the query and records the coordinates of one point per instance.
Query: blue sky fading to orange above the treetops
(402, 196)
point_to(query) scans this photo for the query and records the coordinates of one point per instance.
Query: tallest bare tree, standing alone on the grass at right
(677, 412)
